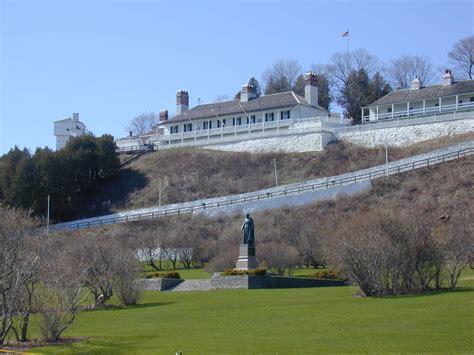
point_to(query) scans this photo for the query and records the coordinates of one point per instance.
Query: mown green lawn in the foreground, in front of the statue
(281, 321)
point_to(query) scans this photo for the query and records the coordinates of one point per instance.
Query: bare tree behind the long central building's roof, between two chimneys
(281, 76)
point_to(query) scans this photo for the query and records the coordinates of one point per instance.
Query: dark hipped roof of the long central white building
(267, 102)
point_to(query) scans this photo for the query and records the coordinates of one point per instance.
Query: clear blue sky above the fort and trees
(113, 60)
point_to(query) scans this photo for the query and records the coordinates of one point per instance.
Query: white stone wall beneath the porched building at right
(406, 135)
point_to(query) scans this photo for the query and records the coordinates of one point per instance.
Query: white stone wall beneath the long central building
(294, 143)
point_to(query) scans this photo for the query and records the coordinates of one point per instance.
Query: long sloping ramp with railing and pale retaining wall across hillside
(277, 197)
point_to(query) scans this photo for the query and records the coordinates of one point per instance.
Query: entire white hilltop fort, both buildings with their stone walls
(291, 123)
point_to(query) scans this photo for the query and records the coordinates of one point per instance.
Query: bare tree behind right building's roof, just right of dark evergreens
(401, 71)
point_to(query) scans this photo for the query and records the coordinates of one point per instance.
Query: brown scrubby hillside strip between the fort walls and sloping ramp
(189, 174)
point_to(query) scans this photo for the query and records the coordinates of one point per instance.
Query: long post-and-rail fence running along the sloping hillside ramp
(396, 167)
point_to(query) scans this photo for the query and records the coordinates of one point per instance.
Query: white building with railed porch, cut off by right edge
(418, 100)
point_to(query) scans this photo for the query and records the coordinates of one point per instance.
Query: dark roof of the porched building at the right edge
(425, 93)
